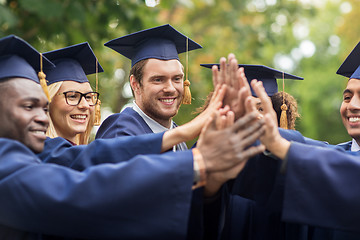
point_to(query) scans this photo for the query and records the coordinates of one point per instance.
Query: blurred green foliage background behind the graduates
(258, 32)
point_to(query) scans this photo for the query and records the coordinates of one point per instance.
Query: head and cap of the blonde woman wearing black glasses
(72, 98)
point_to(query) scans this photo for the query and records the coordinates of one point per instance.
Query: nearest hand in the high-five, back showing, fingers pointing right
(225, 148)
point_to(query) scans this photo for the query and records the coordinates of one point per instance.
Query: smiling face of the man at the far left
(24, 113)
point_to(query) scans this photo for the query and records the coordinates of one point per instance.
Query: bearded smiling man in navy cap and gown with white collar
(156, 79)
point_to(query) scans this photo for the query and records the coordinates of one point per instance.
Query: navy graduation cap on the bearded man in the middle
(162, 42)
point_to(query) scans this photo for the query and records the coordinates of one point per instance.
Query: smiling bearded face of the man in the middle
(162, 90)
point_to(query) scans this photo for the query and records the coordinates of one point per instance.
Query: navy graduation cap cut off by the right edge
(351, 66)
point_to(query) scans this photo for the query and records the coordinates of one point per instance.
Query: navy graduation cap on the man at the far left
(20, 59)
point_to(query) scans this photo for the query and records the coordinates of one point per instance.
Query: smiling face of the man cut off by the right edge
(350, 108)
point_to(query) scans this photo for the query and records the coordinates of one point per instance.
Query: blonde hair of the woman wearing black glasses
(81, 138)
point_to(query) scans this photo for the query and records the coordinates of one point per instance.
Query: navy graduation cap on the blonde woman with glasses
(73, 63)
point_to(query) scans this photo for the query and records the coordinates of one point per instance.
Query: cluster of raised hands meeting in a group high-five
(236, 125)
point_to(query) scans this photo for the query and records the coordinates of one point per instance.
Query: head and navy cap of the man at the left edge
(23, 109)
